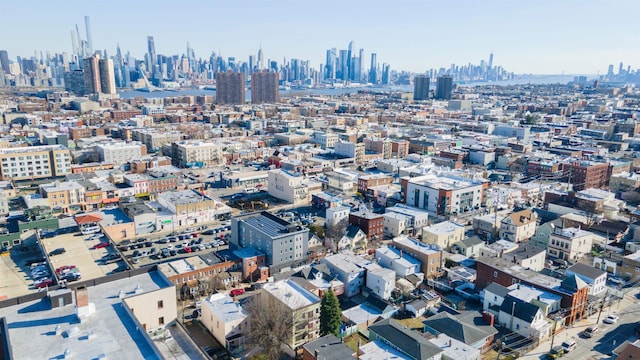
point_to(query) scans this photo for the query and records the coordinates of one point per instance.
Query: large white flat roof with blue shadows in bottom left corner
(116, 334)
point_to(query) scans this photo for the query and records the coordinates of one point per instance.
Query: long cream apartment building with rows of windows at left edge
(34, 162)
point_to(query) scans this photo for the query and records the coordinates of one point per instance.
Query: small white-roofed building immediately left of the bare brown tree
(226, 320)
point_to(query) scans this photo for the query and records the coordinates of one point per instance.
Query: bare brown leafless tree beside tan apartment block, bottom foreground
(271, 326)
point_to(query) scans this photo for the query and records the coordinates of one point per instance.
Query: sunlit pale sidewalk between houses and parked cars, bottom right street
(572, 331)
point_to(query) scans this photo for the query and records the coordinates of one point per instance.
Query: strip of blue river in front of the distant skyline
(522, 79)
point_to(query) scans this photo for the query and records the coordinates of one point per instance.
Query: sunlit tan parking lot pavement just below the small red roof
(79, 252)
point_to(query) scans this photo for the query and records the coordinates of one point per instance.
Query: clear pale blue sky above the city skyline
(526, 36)
